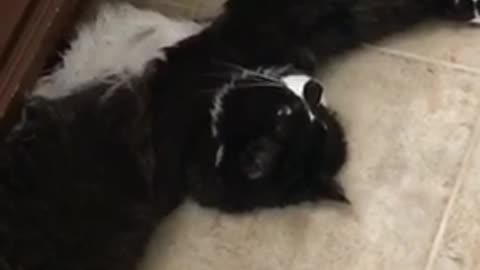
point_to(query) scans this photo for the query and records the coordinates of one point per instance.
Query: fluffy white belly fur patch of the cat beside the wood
(118, 42)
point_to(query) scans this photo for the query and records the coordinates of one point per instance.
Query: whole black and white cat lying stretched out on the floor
(229, 116)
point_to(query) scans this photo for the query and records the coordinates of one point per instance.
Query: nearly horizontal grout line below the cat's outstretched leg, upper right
(424, 59)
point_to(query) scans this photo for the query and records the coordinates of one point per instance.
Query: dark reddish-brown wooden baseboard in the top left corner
(28, 40)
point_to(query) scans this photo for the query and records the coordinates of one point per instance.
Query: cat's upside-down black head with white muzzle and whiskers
(274, 143)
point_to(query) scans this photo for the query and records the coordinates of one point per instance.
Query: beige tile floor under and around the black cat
(411, 107)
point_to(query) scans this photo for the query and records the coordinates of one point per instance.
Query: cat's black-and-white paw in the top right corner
(464, 10)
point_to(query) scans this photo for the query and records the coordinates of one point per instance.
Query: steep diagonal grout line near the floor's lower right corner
(460, 179)
